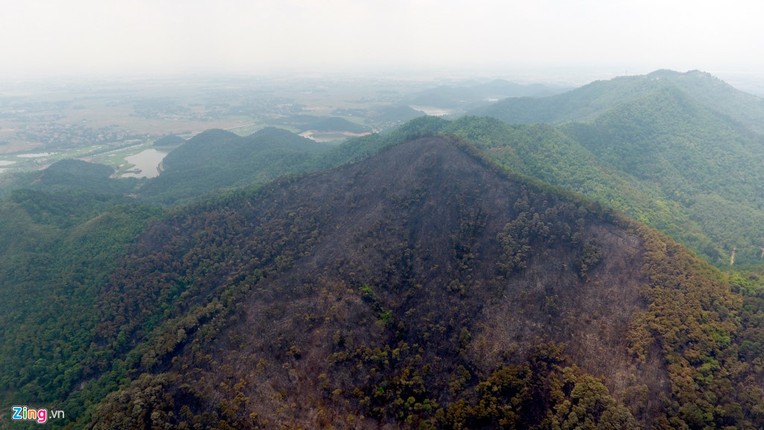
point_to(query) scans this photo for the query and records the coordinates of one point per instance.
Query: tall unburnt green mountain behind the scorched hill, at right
(681, 152)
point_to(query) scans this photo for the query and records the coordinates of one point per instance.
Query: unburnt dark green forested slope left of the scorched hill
(57, 249)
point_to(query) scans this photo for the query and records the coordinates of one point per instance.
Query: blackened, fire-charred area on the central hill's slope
(422, 249)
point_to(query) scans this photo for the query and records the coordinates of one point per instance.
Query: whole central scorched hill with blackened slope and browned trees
(422, 287)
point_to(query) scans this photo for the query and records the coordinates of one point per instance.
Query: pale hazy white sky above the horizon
(121, 37)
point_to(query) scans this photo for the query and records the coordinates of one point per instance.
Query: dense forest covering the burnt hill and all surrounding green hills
(474, 273)
